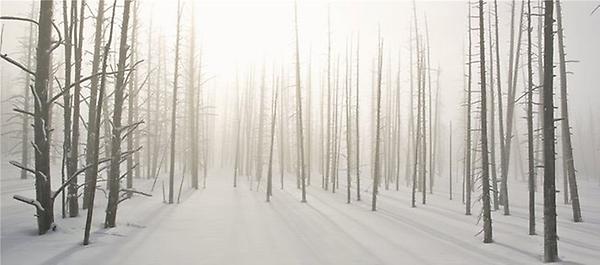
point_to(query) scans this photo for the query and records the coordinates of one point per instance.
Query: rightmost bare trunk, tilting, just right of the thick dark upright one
(565, 128)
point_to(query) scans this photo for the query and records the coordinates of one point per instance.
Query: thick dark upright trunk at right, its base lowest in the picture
(550, 237)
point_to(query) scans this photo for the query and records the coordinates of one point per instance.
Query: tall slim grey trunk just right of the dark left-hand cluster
(174, 107)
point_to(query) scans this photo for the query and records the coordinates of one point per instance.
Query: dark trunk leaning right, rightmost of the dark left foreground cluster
(115, 147)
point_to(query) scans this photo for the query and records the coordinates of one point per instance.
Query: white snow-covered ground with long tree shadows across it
(223, 225)
